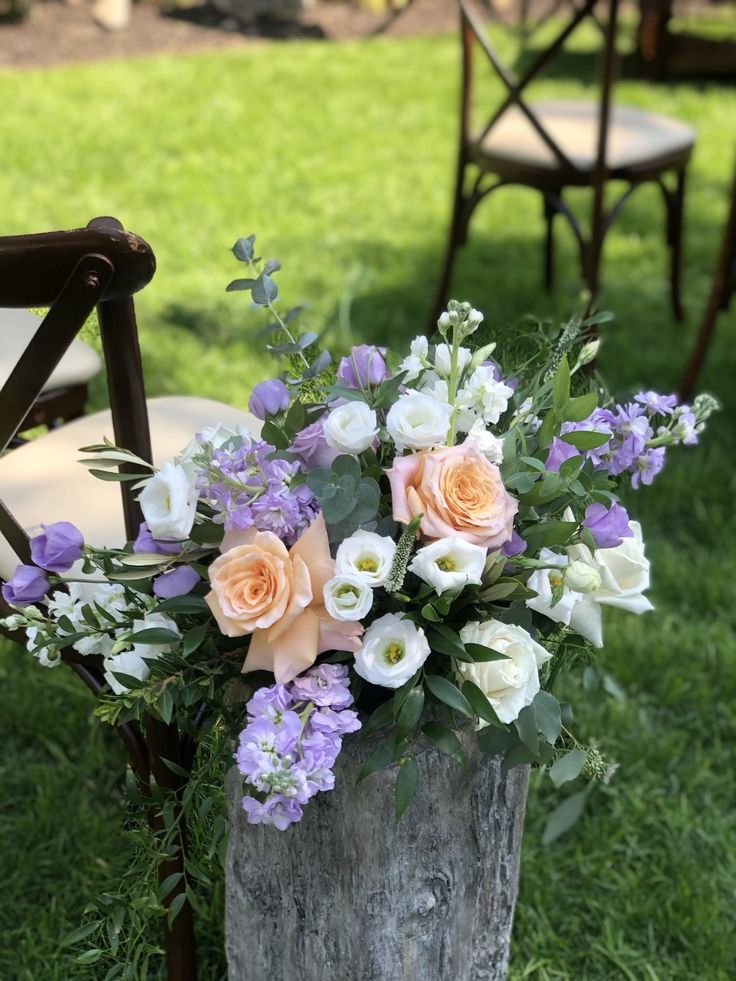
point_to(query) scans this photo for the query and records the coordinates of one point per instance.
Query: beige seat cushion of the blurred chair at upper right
(635, 137)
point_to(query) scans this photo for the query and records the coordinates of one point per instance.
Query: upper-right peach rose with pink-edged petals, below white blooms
(458, 491)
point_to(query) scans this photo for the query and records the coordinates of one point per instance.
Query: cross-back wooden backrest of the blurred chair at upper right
(603, 12)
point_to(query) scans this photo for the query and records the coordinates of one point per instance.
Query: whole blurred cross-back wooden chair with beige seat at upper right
(554, 145)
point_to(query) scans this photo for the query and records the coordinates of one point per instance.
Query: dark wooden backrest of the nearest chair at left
(71, 273)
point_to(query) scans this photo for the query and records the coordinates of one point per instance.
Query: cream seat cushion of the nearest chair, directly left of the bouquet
(42, 482)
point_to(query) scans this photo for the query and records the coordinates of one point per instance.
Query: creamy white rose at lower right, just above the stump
(511, 684)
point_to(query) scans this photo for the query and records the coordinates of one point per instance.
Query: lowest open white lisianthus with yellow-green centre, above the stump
(391, 651)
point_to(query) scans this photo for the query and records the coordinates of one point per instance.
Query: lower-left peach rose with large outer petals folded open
(259, 587)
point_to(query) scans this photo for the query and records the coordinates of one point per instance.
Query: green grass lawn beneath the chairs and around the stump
(340, 158)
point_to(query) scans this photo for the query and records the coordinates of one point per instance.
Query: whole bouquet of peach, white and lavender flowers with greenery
(408, 545)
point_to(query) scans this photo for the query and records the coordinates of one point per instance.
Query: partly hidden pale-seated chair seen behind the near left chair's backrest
(65, 394)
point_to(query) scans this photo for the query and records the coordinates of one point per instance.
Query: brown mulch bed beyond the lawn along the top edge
(56, 33)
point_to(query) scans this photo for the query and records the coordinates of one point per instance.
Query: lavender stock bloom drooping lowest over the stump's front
(292, 737)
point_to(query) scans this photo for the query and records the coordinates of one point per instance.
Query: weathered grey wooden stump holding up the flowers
(349, 895)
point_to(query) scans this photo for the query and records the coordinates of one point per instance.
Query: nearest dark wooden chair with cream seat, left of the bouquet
(73, 272)
